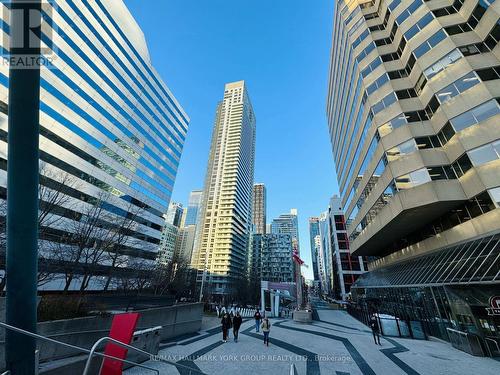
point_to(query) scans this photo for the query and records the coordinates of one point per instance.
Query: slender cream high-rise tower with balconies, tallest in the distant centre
(226, 217)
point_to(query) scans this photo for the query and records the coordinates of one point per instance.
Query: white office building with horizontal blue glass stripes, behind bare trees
(111, 132)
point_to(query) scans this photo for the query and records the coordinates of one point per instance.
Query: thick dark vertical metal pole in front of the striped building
(22, 184)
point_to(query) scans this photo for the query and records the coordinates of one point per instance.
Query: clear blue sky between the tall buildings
(281, 49)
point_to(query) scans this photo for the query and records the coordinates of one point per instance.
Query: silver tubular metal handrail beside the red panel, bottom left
(93, 351)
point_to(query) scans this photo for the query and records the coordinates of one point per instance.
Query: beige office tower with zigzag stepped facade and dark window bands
(413, 111)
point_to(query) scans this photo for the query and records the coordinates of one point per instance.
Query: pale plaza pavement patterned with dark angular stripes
(336, 344)
